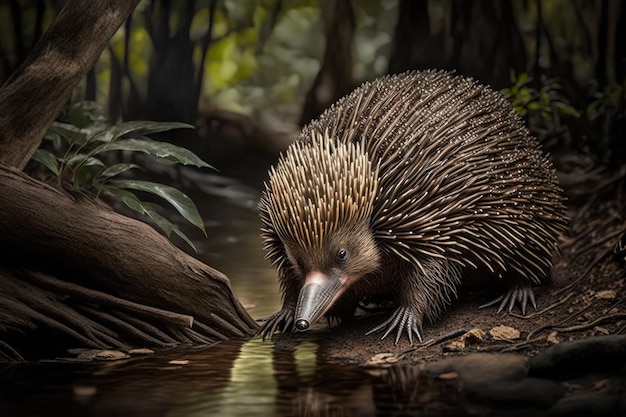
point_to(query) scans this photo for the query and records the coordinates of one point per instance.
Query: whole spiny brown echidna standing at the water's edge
(399, 191)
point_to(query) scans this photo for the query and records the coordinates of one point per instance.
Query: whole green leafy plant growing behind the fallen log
(81, 161)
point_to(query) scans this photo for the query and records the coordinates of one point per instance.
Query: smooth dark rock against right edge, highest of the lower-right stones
(568, 359)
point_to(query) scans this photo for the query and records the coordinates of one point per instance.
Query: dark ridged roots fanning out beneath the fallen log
(90, 318)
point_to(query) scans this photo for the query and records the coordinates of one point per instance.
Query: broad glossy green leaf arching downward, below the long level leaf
(181, 202)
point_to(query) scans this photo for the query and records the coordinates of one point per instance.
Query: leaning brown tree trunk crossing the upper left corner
(40, 87)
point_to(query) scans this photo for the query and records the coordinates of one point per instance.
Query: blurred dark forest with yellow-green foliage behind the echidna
(269, 66)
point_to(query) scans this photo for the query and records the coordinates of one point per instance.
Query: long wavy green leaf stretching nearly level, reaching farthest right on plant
(155, 149)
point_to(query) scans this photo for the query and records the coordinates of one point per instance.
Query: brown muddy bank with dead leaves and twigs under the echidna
(587, 297)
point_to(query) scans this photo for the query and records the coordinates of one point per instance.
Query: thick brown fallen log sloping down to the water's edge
(102, 259)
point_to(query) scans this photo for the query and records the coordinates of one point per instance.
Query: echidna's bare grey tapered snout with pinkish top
(316, 297)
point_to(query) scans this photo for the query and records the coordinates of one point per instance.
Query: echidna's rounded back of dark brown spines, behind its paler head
(459, 176)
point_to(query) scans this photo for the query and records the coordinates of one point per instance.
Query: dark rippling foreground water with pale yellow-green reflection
(229, 379)
